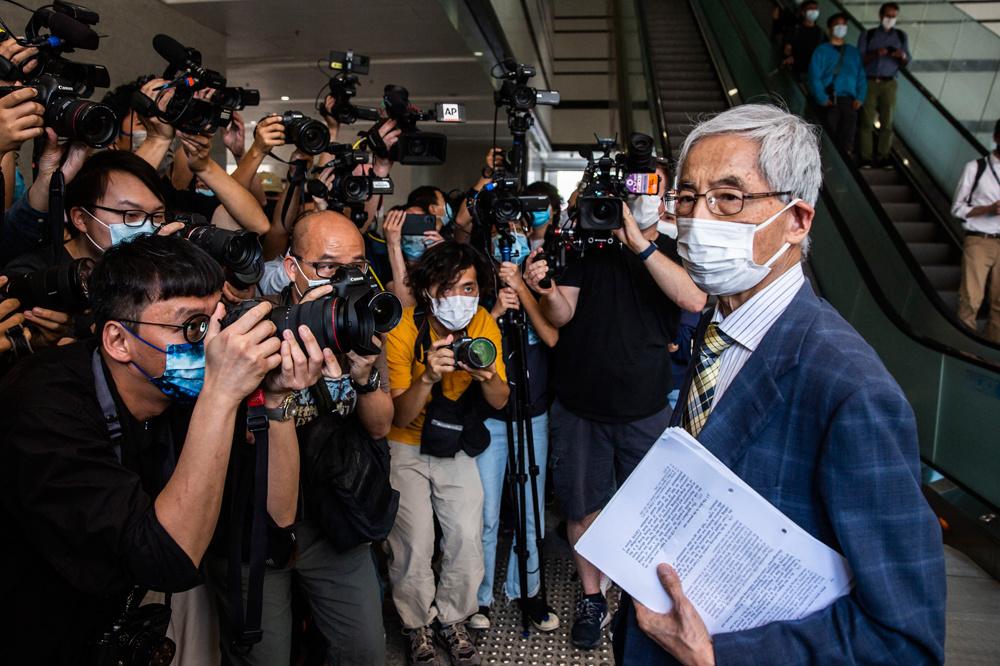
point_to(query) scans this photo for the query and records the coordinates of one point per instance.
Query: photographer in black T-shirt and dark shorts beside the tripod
(617, 309)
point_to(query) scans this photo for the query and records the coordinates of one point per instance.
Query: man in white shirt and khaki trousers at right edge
(977, 201)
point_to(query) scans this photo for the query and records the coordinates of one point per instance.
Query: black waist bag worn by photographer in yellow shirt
(450, 425)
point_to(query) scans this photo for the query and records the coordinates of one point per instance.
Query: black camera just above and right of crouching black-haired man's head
(239, 252)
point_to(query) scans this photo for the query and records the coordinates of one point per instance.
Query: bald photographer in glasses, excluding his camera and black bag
(340, 583)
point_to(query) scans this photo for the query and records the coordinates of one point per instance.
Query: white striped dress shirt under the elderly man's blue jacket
(749, 323)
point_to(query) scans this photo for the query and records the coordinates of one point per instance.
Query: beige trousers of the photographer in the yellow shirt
(450, 489)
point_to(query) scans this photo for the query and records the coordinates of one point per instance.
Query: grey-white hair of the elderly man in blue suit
(788, 158)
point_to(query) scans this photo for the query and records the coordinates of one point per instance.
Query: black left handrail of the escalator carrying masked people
(880, 214)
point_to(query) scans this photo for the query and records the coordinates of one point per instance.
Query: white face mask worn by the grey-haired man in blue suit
(719, 255)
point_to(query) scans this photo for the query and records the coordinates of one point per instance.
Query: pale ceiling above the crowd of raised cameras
(275, 47)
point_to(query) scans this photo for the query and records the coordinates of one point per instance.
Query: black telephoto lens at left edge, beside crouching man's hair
(62, 288)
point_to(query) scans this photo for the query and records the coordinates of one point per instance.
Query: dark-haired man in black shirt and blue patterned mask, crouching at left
(115, 449)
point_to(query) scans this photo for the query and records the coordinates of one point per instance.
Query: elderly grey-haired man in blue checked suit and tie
(784, 392)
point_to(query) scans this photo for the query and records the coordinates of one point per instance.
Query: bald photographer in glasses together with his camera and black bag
(342, 422)
